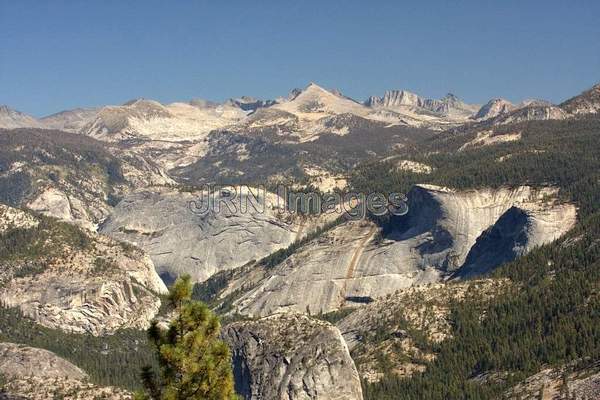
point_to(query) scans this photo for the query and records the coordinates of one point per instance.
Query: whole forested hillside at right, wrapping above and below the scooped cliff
(551, 317)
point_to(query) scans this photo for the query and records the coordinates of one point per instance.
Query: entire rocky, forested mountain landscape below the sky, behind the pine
(487, 287)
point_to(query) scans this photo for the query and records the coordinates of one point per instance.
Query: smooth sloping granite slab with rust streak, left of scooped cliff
(314, 279)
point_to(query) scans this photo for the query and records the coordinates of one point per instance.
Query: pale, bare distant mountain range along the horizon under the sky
(148, 118)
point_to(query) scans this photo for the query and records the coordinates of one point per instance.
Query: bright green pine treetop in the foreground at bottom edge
(194, 362)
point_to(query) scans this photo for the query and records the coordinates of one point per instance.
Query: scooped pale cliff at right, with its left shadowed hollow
(443, 224)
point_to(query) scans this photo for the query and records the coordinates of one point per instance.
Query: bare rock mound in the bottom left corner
(38, 374)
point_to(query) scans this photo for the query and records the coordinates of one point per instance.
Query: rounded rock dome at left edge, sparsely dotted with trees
(77, 281)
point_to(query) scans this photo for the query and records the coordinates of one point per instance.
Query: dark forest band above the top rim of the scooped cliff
(560, 153)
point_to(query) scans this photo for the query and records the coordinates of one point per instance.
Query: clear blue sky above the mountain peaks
(56, 55)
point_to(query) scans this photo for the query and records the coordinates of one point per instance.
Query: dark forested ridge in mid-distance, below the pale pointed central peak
(270, 155)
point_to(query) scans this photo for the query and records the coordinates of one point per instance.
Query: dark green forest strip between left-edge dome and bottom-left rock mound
(111, 360)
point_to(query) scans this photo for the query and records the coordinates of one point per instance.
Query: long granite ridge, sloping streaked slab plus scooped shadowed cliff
(445, 234)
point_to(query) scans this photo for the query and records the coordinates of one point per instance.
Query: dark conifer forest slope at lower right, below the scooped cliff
(550, 318)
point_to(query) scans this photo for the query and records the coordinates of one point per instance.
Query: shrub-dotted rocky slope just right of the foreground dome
(400, 327)
